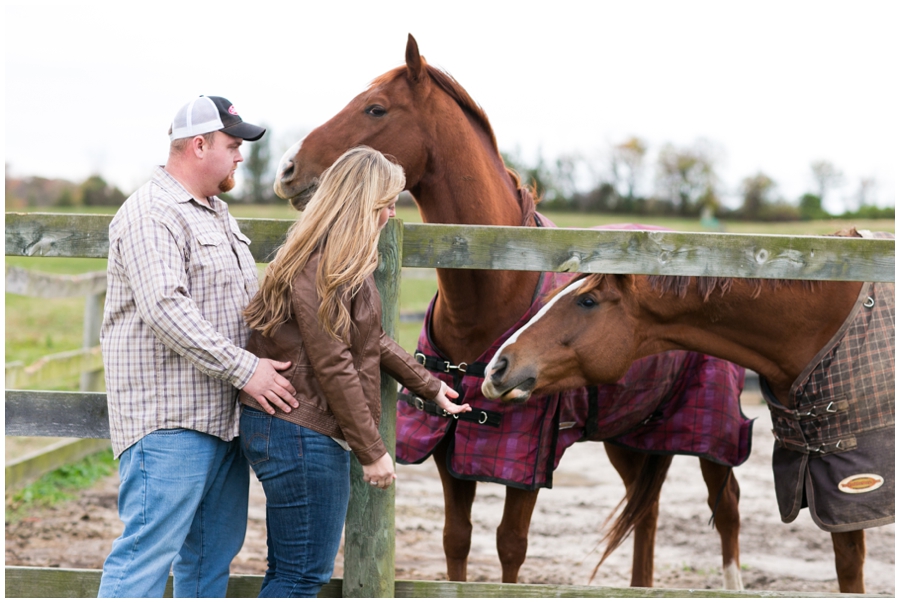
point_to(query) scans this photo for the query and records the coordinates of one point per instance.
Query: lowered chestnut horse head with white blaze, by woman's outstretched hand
(582, 336)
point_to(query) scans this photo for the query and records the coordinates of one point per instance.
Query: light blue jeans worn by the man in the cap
(183, 500)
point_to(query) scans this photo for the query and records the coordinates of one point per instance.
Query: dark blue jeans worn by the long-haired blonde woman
(306, 478)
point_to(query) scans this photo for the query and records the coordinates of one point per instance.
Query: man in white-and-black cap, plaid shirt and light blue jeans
(179, 276)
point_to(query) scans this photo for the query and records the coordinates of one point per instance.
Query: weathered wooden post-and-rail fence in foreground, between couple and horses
(369, 534)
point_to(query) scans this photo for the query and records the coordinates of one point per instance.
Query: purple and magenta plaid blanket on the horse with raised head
(675, 403)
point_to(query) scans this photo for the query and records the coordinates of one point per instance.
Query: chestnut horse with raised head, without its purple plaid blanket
(430, 125)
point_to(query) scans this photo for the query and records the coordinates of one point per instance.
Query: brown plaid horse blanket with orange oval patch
(834, 448)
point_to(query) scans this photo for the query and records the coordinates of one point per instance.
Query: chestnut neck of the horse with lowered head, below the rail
(776, 334)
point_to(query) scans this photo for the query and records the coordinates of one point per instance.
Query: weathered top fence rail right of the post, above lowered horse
(648, 252)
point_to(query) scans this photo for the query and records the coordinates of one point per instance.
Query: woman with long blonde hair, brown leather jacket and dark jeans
(318, 308)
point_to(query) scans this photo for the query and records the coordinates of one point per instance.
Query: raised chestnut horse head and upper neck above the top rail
(420, 117)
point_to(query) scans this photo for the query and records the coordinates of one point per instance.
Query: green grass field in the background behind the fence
(35, 328)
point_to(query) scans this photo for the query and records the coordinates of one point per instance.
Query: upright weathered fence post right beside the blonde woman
(369, 531)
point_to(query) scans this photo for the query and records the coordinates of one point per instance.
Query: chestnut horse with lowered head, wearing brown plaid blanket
(799, 336)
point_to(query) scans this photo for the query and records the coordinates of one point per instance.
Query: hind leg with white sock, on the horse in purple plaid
(727, 517)
